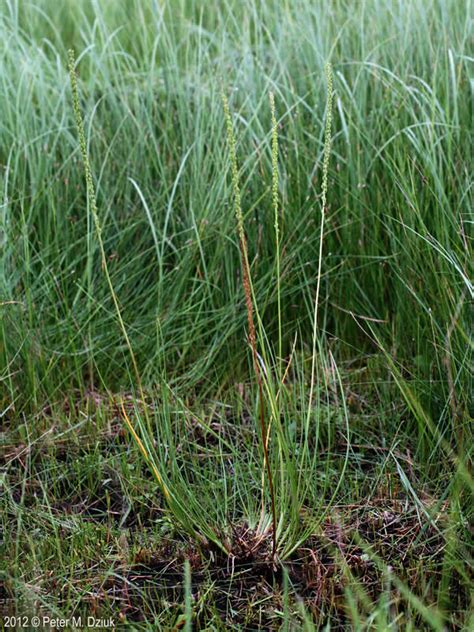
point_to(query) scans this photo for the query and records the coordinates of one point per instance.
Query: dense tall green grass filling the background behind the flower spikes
(397, 228)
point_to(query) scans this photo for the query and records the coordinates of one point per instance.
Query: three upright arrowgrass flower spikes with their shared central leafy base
(292, 489)
